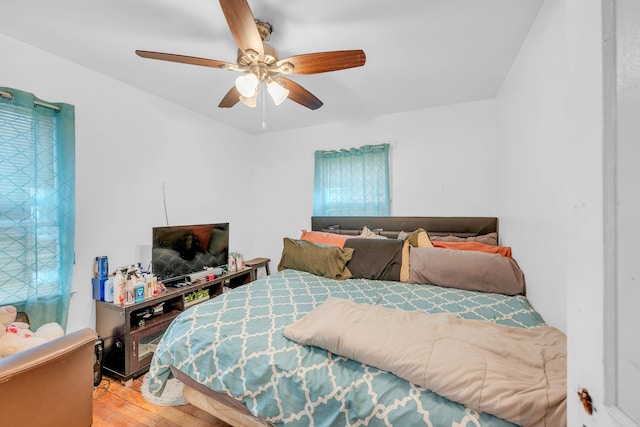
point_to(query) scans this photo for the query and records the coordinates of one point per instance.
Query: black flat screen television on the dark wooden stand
(178, 251)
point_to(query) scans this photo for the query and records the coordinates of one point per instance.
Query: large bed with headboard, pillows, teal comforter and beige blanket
(235, 361)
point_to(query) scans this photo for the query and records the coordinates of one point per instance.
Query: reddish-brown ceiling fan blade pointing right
(322, 62)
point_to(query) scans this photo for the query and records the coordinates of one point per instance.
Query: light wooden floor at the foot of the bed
(115, 404)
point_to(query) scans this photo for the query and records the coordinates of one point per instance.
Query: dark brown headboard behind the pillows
(390, 226)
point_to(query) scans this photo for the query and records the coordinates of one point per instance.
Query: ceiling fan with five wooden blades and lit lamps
(260, 62)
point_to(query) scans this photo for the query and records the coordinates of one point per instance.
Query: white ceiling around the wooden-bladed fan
(420, 53)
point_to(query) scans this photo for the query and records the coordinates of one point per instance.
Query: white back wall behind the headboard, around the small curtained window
(443, 163)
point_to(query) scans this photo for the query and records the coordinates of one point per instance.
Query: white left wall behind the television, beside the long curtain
(128, 144)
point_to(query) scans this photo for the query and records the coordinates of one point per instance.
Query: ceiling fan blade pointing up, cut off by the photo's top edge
(242, 26)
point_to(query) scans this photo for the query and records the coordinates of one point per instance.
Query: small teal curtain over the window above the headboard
(352, 182)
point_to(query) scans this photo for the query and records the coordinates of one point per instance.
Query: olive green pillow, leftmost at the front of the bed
(316, 258)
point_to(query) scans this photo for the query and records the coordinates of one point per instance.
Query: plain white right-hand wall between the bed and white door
(532, 163)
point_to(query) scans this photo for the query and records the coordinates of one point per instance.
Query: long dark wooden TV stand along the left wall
(131, 332)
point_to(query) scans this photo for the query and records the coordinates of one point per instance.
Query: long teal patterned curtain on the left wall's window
(37, 205)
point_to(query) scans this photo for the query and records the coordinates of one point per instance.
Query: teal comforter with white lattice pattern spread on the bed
(233, 344)
